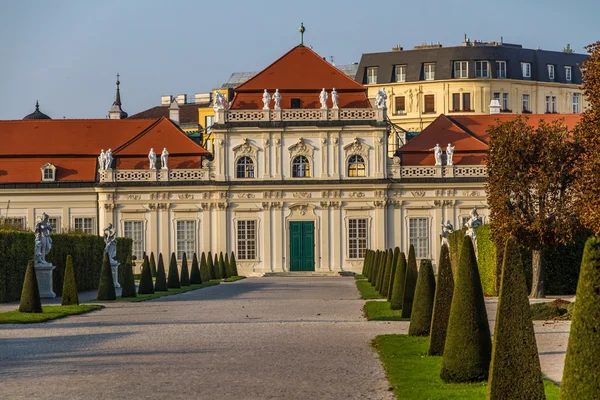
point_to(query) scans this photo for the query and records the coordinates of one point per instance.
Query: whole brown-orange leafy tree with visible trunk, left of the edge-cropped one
(530, 187)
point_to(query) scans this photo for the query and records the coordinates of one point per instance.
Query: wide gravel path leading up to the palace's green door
(263, 338)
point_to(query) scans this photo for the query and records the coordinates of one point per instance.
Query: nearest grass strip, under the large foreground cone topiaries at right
(414, 375)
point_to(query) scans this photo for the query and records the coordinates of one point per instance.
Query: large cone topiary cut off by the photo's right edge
(581, 376)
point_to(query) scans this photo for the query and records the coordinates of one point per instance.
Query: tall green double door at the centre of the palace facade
(302, 246)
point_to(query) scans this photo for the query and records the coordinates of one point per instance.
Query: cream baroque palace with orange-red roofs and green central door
(300, 178)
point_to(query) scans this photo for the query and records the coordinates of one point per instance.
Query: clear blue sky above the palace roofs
(66, 53)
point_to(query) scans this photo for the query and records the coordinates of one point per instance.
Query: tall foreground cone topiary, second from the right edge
(515, 371)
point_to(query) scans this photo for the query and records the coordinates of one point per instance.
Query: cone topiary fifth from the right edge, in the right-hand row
(420, 319)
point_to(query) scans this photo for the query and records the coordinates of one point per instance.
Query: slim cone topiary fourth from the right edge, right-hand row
(442, 302)
